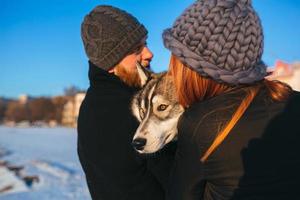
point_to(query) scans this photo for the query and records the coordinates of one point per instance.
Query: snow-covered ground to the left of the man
(48, 153)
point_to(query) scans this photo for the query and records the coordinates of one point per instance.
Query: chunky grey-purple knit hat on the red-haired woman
(220, 39)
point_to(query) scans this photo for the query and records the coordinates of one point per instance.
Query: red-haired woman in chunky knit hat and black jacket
(239, 137)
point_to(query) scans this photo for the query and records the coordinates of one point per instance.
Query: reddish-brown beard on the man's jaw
(130, 78)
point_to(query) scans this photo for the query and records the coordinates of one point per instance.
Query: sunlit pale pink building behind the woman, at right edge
(288, 73)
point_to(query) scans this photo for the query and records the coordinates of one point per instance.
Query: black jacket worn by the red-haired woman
(258, 160)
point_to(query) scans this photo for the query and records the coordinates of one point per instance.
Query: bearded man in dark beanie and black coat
(114, 42)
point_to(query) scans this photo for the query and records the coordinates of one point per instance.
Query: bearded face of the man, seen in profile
(126, 69)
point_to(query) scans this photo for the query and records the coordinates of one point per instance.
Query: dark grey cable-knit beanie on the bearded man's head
(109, 34)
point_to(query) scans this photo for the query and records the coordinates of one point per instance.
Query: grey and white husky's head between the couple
(157, 109)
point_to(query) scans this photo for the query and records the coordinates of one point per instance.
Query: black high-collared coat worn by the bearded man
(114, 170)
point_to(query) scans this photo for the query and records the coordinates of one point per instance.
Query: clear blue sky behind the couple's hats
(41, 51)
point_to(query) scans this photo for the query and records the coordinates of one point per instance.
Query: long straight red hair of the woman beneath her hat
(192, 87)
